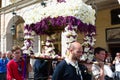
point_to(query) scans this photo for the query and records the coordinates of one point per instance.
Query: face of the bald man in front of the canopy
(77, 52)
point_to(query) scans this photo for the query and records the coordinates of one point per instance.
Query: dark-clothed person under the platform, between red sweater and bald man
(42, 69)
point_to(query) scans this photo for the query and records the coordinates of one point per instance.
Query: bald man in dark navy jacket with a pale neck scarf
(70, 69)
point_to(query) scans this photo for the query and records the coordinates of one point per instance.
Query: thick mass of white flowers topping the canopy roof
(55, 8)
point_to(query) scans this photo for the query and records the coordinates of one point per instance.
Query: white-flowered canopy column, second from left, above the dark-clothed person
(48, 49)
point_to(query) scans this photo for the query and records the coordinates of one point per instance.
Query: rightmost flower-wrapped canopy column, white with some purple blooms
(89, 42)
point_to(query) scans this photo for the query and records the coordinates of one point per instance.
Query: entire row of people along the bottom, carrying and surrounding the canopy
(103, 67)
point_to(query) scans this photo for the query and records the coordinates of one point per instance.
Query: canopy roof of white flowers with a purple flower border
(57, 14)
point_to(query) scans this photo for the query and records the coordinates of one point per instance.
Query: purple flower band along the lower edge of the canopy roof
(49, 25)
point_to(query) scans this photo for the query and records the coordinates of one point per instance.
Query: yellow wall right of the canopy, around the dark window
(103, 21)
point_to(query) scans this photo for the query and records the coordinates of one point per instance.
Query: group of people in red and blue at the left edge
(12, 65)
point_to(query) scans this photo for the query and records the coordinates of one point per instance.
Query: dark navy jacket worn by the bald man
(66, 71)
